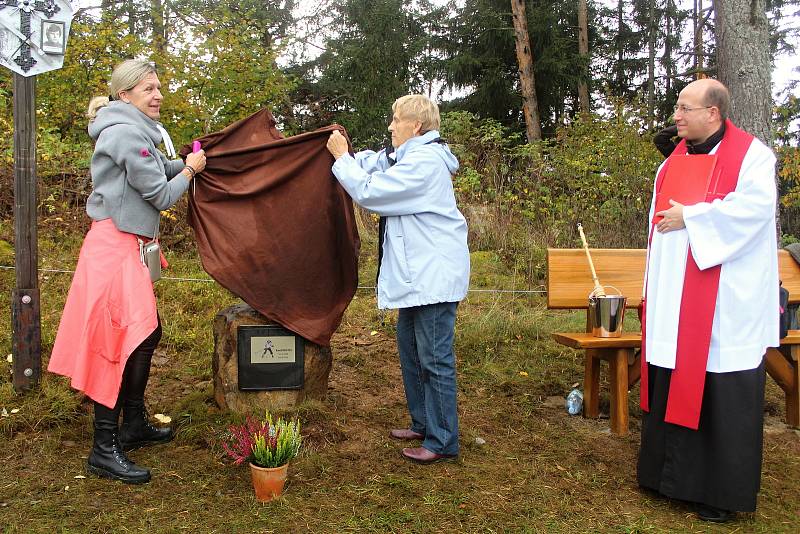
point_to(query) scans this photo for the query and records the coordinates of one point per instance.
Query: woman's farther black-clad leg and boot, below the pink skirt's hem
(137, 431)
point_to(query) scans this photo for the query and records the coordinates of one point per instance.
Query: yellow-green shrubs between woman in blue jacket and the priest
(521, 198)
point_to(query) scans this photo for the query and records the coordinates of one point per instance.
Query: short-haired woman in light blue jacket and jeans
(423, 265)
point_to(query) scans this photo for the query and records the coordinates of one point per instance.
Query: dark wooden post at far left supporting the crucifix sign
(26, 343)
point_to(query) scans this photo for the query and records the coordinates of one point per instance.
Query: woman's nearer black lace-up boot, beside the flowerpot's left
(107, 459)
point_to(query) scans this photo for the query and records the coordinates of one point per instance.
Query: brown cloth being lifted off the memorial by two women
(274, 226)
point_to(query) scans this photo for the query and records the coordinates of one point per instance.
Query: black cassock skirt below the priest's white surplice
(719, 464)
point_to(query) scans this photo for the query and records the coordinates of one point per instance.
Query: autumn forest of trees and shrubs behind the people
(314, 64)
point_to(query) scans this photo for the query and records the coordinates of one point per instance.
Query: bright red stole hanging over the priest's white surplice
(699, 296)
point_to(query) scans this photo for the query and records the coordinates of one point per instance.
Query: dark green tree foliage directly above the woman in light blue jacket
(379, 50)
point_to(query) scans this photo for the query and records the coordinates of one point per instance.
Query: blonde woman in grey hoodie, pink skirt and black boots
(110, 325)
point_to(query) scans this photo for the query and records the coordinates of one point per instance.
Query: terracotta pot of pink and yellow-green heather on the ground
(267, 446)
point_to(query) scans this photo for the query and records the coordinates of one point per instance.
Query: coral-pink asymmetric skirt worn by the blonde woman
(110, 310)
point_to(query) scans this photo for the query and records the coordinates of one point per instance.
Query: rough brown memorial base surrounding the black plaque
(318, 363)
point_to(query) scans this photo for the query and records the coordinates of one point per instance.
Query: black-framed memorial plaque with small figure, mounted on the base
(269, 357)
